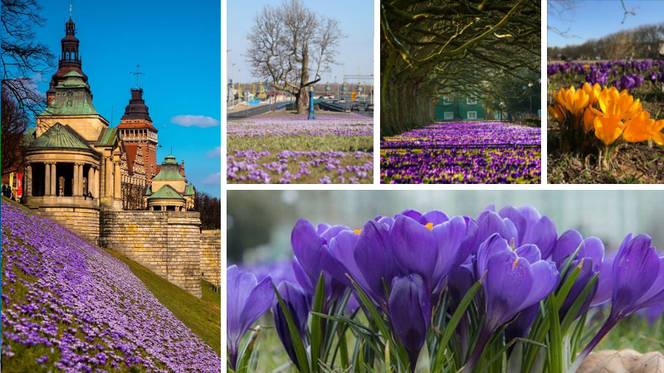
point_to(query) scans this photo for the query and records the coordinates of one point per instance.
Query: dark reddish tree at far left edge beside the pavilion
(14, 124)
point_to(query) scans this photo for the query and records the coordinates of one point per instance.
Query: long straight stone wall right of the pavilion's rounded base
(167, 243)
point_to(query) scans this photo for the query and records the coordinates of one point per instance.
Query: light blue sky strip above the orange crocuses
(594, 19)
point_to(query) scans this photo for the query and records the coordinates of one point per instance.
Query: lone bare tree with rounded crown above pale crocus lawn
(289, 44)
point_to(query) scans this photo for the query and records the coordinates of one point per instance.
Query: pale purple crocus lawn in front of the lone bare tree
(287, 148)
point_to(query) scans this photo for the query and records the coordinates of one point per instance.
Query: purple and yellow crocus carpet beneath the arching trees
(463, 152)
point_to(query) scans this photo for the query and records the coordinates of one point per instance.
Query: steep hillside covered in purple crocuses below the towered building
(69, 305)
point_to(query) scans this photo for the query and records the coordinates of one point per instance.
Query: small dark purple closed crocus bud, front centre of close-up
(410, 314)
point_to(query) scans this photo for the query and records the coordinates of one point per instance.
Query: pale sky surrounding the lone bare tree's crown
(356, 18)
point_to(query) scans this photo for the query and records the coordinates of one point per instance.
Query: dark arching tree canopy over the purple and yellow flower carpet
(431, 48)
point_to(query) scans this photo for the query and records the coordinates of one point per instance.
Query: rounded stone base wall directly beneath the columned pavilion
(82, 221)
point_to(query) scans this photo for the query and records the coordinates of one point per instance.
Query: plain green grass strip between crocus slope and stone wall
(202, 316)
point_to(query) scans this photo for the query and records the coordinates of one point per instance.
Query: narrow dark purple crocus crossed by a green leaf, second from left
(298, 307)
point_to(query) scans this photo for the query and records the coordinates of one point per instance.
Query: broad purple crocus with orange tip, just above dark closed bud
(430, 250)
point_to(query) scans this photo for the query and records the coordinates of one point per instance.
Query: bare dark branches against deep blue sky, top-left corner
(23, 58)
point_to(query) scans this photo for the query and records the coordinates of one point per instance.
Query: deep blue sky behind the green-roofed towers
(178, 47)
